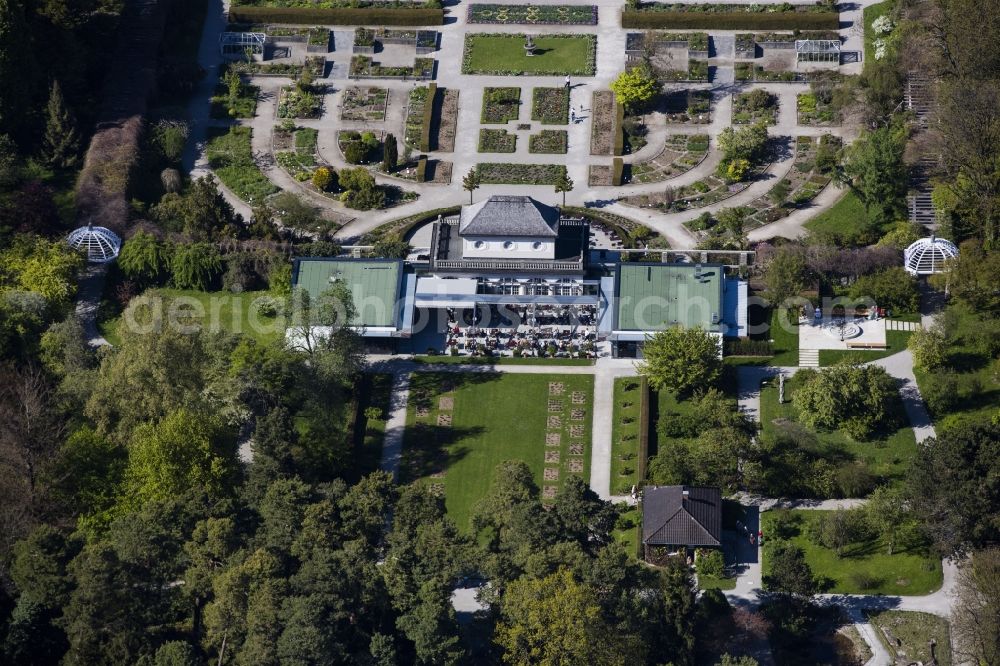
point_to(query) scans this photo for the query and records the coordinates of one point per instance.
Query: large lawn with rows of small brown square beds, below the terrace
(494, 417)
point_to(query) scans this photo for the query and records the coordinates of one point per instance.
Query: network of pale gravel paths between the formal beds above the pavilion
(610, 60)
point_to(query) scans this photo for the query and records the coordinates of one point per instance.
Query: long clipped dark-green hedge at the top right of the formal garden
(730, 20)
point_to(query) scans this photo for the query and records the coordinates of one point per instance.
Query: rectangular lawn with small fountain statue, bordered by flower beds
(504, 55)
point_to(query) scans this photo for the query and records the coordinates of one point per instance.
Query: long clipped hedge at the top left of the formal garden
(337, 16)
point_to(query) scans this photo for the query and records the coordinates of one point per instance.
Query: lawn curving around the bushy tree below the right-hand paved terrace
(886, 459)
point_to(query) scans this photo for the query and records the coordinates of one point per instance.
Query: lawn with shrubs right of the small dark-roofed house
(910, 570)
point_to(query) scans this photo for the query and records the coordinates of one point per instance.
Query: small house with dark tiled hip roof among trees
(678, 518)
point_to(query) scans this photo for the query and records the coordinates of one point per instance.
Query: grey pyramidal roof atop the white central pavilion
(509, 216)
